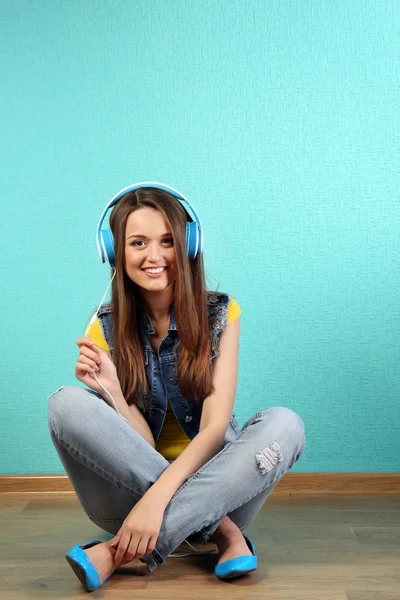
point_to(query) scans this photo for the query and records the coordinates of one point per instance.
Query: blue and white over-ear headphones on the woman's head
(194, 230)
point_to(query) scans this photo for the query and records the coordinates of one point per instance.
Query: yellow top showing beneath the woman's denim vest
(172, 440)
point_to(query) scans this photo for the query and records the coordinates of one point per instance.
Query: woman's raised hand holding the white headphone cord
(92, 358)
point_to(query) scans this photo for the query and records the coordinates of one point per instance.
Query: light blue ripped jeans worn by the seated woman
(111, 467)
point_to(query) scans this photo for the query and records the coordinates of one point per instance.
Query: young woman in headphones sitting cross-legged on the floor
(153, 449)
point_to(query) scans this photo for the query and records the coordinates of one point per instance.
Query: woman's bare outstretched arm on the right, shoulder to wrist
(216, 414)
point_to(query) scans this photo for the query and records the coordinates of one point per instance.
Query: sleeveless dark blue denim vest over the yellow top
(162, 370)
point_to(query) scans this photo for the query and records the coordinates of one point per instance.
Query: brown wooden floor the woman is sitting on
(309, 548)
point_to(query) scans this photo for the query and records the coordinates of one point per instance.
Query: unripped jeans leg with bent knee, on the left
(109, 464)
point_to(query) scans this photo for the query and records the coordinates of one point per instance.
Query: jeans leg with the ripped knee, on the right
(242, 474)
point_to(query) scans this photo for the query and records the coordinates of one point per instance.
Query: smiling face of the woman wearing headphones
(149, 244)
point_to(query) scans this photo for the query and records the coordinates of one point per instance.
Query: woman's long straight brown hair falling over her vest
(190, 303)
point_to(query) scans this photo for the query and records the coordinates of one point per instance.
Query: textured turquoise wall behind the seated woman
(280, 121)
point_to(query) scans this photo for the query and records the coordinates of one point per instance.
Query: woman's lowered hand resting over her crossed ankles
(139, 532)
